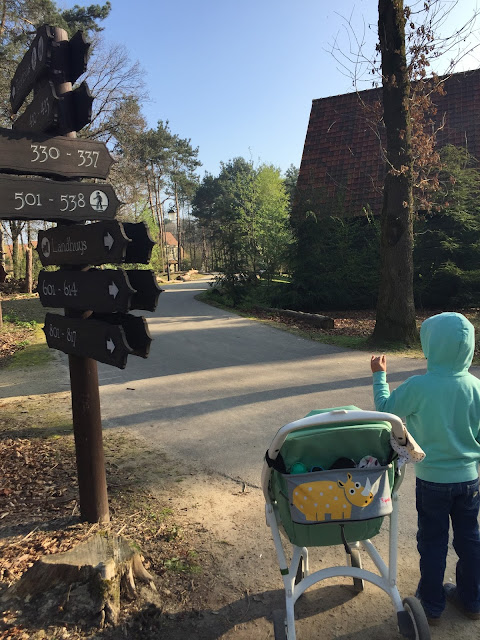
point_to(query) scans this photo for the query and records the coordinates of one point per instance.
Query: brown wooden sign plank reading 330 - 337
(39, 154)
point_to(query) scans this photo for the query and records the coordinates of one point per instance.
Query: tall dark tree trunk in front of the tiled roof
(395, 319)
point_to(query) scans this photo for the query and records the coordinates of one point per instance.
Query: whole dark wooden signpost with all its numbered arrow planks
(96, 325)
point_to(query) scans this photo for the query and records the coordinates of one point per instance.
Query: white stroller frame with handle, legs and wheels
(411, 618)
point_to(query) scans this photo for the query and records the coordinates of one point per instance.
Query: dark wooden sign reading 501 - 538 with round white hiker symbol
(43, 199)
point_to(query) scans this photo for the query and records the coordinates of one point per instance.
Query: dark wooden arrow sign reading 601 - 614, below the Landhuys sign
(105, 290)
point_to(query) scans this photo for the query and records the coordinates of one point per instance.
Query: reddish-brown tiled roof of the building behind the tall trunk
(342, 168)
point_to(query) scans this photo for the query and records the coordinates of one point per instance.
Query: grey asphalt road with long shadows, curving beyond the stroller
(216, 387)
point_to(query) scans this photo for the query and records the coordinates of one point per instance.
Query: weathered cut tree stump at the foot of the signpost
(87, 582)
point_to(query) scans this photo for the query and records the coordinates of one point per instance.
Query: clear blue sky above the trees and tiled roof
(238, 77)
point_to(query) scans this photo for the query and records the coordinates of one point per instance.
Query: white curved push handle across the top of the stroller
(334, 417)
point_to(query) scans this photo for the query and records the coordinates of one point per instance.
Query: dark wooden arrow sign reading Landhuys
(95, 244)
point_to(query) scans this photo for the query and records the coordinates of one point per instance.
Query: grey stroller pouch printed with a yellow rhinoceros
(339, 495)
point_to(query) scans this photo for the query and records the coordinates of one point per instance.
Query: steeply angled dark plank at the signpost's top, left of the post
(35, 63)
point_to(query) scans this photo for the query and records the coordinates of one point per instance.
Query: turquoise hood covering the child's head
(448, 342)
